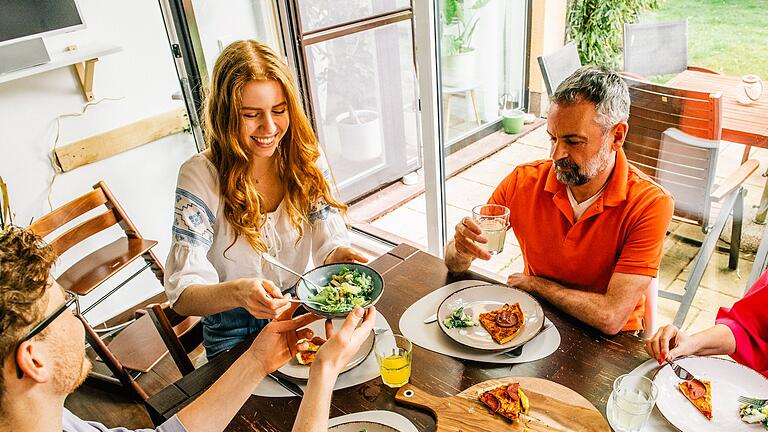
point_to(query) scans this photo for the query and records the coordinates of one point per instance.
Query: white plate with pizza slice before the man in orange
(484, 298)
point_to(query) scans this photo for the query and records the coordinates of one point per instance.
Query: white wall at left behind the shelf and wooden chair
(143, 179)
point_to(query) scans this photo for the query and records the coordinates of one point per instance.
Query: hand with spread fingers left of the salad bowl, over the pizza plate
(278, 341)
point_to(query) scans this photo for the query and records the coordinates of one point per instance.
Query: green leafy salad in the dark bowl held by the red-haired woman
(347, 289)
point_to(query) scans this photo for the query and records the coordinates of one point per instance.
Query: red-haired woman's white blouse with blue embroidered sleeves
(202, 234)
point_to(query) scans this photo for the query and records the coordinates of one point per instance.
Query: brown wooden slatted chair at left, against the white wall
(137, 347)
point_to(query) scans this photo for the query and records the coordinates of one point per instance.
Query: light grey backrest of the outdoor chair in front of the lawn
(656, 48)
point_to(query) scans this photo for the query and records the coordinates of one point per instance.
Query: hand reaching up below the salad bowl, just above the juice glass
(344, 344)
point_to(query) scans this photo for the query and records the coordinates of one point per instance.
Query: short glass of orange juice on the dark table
(394, 354)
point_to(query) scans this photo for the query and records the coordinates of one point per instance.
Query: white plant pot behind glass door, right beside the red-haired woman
(359, 135)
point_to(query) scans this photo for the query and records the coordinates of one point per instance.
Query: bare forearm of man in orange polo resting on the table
(591, 308)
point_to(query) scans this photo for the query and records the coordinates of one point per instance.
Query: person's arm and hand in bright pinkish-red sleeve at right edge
(740, 331)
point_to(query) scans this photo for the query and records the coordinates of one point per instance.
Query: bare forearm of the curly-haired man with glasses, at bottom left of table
(215, 408)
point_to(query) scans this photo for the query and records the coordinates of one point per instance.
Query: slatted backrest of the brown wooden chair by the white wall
(101, 195)
